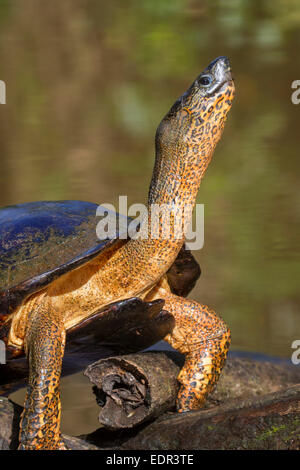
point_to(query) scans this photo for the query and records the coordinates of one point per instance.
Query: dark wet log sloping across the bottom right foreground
(267, 422)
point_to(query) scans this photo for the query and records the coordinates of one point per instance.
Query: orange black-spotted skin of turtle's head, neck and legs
(185, 142)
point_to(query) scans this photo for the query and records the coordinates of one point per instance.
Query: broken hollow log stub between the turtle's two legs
(134, 388)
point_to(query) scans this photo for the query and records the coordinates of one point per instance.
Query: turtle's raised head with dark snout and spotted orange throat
(194, 124)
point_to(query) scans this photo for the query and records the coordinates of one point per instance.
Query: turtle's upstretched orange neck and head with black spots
(185, 142)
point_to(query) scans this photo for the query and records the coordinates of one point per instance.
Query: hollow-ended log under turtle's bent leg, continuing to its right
(135, 388)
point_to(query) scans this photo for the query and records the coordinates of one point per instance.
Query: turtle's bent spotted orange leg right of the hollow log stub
(204, 338)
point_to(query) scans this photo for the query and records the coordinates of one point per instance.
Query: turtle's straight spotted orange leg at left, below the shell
(44, 345)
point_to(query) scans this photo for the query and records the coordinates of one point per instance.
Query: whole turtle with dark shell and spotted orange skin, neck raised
(60, 281)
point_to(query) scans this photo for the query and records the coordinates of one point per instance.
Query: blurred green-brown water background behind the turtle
(89, 81)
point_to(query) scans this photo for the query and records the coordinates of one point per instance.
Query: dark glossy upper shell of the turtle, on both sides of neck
(40, 241)
